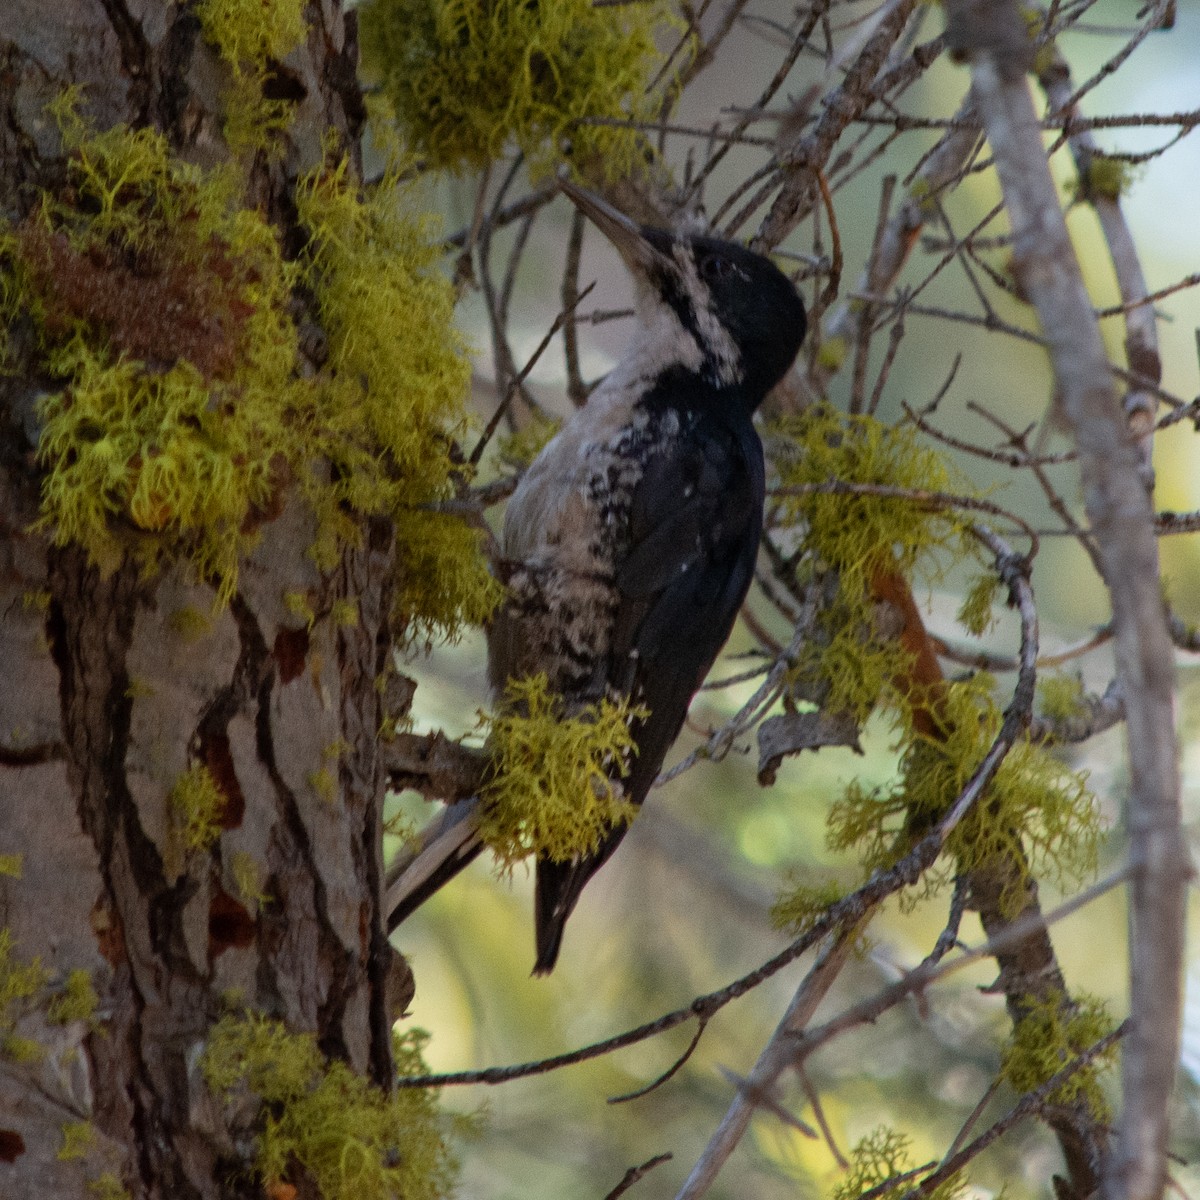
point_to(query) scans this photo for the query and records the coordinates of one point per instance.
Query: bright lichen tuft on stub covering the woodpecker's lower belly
(553, 793)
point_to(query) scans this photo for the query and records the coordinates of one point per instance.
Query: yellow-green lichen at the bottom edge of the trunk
(353, 1141)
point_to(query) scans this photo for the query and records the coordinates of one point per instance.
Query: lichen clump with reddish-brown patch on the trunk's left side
(165, 439)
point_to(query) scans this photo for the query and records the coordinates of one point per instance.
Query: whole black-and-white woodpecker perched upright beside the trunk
(633, 536)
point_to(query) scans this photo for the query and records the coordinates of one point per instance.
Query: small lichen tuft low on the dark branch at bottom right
(1051, 1036)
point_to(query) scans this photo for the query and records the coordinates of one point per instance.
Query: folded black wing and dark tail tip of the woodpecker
(694, 538)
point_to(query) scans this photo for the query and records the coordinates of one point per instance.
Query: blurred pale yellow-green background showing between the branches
(683, 909)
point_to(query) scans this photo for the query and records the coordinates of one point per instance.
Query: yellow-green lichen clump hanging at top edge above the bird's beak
(470, 79)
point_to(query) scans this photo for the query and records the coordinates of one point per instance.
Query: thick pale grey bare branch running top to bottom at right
(1121, 519)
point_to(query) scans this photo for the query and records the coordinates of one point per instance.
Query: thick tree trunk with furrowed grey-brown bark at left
(119, 682)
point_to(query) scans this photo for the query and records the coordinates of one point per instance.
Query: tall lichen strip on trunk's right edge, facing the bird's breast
(393, 397)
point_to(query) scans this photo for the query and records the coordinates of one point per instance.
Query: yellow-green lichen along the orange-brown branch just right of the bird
(1037, 813)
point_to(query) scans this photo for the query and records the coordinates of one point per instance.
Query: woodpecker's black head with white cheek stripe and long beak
(731, 315)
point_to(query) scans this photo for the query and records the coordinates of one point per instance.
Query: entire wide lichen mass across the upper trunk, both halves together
(177, 439)
